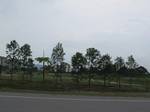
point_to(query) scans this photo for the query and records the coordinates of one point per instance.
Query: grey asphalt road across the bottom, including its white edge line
(16, 102)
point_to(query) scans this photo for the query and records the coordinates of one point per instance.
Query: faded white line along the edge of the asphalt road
(77, 99)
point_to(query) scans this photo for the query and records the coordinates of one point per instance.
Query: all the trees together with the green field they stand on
(90, 72)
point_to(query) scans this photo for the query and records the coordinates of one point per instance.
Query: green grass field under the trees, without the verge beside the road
(67, 84)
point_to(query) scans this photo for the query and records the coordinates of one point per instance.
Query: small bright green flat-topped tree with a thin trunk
(43, 60)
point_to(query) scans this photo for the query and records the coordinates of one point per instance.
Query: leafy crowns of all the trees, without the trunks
(92, 61)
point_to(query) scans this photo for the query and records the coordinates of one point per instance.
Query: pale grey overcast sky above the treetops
(117, 27)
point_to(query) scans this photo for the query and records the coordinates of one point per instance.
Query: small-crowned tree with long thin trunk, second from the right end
(119, 63)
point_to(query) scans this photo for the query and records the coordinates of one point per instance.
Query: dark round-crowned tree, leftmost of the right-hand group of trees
(78, 63)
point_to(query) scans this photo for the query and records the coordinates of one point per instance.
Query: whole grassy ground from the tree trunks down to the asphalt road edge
(139, 86)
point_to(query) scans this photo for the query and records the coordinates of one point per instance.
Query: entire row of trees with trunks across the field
(20, 58)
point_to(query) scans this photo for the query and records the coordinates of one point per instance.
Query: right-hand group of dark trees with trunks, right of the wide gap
(94, 63)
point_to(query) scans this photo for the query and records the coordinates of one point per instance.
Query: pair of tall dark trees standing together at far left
(19, 58)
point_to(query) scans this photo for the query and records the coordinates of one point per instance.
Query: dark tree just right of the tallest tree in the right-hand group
(105, 66)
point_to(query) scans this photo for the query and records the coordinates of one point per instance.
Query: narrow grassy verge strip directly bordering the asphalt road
(81, 93)
